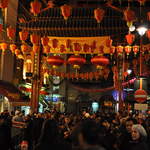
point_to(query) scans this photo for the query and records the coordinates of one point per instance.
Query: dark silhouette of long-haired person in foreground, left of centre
(50, 138)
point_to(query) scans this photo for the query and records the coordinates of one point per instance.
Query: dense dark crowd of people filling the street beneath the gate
(86, 131)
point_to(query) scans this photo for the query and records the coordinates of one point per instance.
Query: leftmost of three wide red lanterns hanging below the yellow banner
(55, 61)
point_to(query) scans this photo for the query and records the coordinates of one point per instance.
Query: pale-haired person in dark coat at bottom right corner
(139, 137)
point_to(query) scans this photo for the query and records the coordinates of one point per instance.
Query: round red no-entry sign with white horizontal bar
(140, 95)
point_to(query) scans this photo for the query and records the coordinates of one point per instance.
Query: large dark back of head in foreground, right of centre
(88, 133)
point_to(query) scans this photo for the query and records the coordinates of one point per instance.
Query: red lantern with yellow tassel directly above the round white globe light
(129, 16)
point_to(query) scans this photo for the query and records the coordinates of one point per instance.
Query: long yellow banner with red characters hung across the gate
(82, 45)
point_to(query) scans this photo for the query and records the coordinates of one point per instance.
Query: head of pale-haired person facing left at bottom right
(138, 132)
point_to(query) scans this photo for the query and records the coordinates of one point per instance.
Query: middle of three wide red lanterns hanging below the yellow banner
(76, 61)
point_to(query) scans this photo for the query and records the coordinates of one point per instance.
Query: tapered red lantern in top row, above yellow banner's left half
(66, 11)
